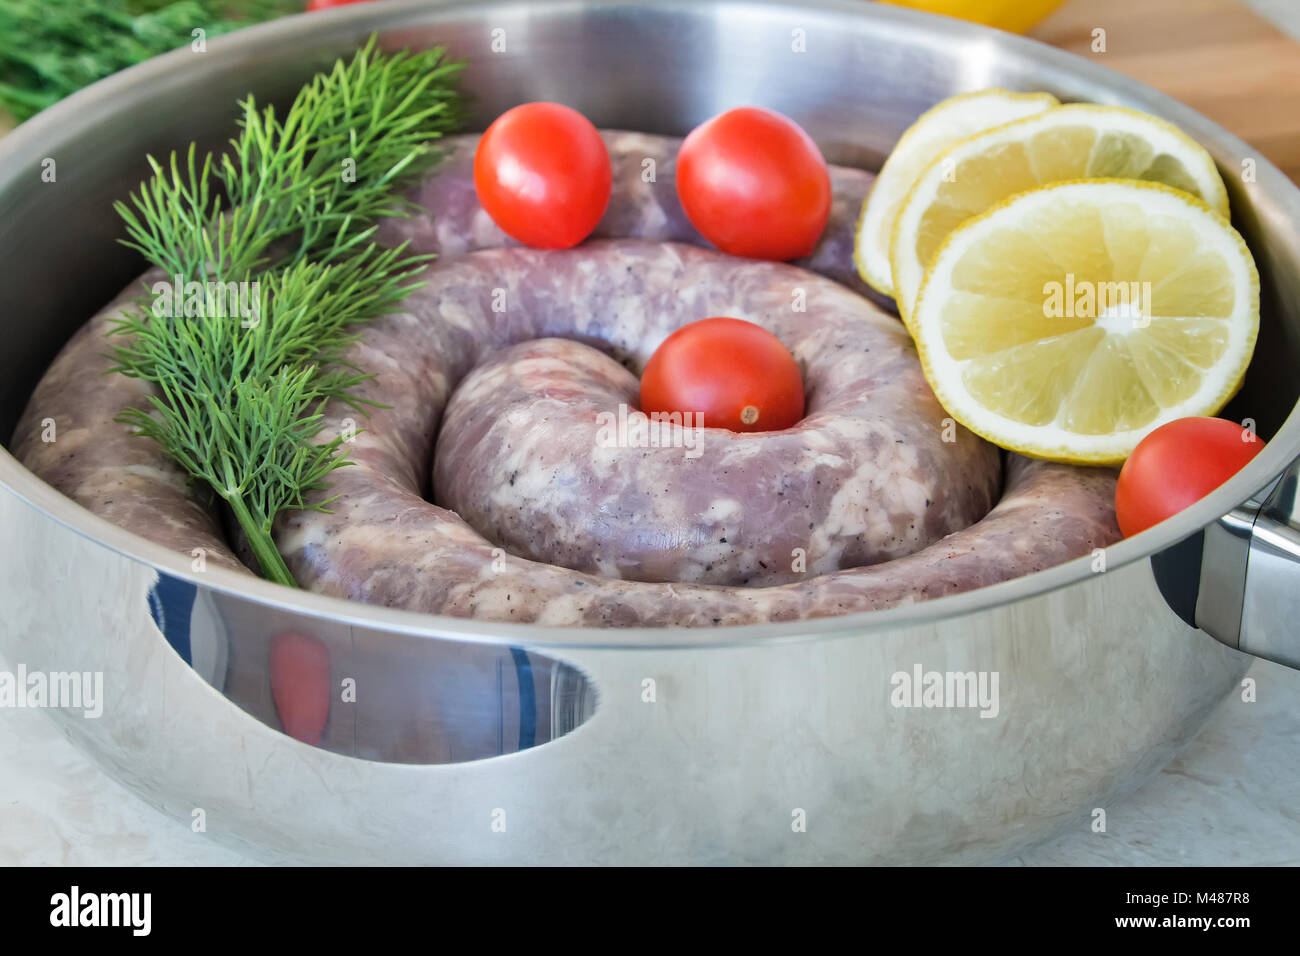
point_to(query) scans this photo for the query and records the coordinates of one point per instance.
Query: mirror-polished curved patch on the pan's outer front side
(408, 703)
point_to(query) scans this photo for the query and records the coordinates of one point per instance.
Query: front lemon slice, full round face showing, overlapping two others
(1072, 321)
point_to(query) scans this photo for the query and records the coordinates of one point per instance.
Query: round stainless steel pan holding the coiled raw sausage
(781, 743)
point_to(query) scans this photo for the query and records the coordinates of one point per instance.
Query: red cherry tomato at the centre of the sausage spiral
(735, 374)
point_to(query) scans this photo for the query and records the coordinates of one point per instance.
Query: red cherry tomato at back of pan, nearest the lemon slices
(755, 184)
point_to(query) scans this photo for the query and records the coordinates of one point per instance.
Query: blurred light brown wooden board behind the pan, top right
(1217, 57)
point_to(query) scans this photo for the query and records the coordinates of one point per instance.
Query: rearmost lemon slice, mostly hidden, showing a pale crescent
(934, 132)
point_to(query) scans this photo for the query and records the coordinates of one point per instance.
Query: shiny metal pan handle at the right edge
(1249, 586)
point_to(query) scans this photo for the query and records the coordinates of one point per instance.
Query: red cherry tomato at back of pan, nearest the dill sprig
(543, 174)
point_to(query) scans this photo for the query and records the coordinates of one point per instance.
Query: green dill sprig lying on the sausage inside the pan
(291, 211)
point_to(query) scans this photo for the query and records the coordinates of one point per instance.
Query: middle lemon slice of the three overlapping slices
(1067, 144)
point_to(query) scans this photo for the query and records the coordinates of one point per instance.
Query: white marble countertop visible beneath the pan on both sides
(1233, 798)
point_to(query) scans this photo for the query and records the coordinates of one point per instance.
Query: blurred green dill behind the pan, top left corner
(53, 49)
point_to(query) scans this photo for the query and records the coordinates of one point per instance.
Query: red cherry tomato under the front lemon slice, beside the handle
(1178, 465)
